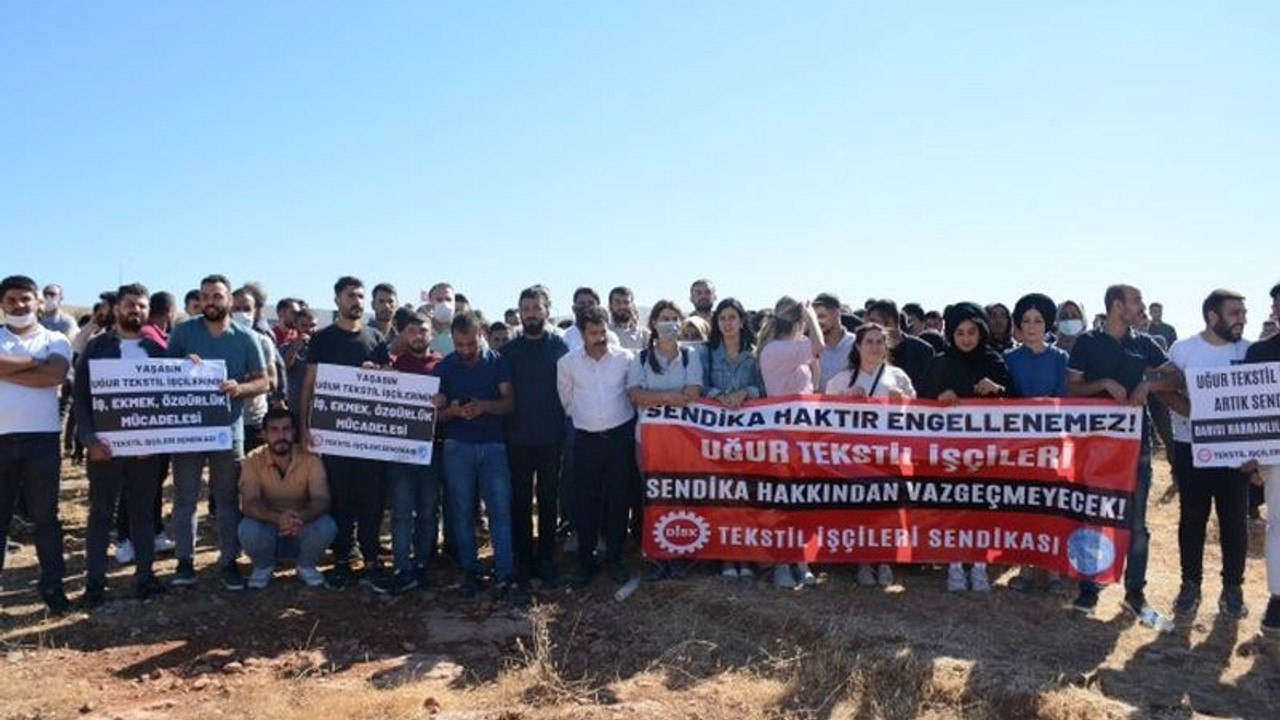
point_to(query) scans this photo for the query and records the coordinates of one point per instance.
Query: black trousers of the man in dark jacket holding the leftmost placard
(115, 482)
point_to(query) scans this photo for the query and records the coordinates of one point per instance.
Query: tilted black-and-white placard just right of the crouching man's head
(373, 414)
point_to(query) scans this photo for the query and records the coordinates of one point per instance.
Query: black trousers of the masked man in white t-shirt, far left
(30, 464)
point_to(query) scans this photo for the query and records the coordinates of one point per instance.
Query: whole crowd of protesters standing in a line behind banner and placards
(538, 440)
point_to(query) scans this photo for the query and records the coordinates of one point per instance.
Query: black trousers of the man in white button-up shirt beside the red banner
(604, 466)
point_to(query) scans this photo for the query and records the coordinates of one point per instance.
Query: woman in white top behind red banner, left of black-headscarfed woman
(870, 375)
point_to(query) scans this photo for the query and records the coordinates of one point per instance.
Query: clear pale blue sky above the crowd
(929, 152)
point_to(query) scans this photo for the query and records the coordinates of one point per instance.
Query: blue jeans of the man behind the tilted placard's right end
(415, 493)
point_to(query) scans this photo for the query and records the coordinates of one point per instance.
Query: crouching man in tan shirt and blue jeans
(285, 498)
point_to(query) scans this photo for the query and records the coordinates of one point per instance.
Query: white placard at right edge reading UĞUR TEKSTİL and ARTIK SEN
(1236, 414)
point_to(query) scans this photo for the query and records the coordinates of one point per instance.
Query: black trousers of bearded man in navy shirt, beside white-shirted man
(534, 467)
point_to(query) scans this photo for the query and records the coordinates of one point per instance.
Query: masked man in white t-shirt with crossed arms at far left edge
(34, 362)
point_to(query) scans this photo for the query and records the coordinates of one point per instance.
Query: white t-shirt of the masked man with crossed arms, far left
(31, 409)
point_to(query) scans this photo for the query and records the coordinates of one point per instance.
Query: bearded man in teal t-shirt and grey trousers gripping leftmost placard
(214, 336)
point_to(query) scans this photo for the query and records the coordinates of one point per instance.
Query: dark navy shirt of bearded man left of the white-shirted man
(540, 417)
